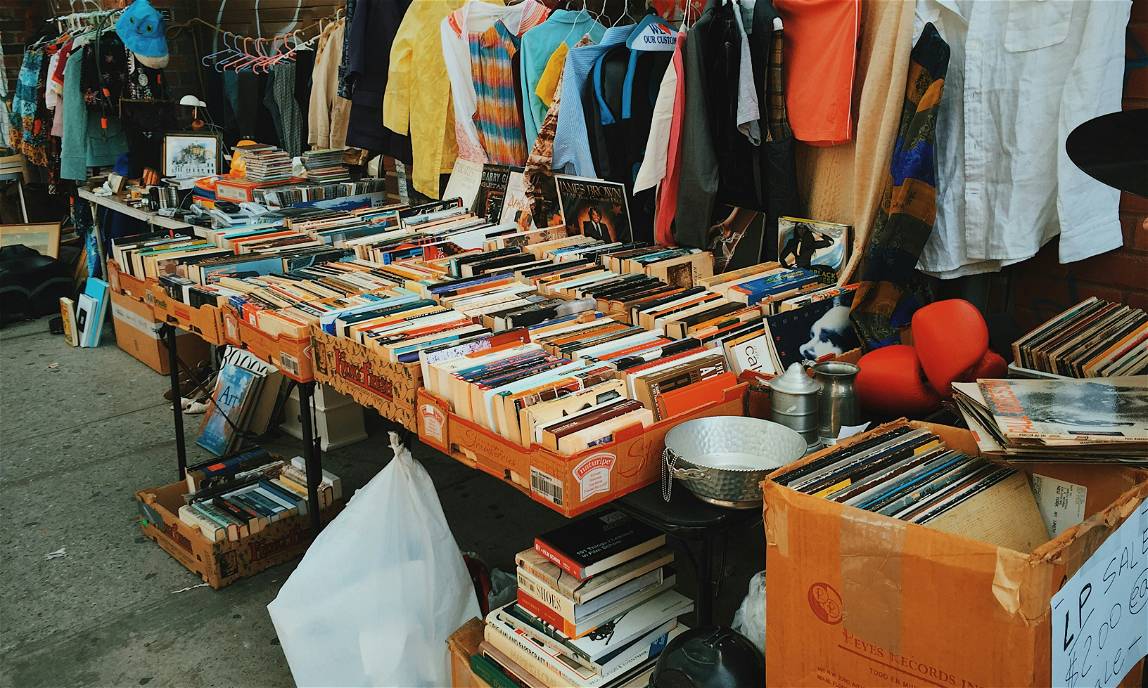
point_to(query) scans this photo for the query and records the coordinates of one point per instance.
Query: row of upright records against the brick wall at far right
(1093, 339)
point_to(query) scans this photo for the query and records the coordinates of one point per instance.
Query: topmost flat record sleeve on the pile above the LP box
(1111, 411)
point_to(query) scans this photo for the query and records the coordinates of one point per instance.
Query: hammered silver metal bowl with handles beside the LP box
(723, 460)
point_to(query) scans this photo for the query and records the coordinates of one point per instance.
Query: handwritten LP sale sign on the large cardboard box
(1100, 625)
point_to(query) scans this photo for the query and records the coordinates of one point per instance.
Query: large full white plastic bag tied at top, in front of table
(379, 592)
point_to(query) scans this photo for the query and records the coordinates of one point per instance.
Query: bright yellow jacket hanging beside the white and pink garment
(418, 92)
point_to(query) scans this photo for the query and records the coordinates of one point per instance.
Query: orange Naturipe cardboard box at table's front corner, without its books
(570, 485)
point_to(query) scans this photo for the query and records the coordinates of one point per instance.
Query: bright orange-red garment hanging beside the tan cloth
(820, 60)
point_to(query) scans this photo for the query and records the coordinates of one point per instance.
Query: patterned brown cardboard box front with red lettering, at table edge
(358, 372)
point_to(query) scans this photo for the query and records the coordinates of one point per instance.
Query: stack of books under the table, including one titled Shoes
(596, 606)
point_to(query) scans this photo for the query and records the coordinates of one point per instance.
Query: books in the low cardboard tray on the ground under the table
(238, 497)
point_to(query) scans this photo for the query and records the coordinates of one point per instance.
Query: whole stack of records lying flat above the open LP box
(1082, 421)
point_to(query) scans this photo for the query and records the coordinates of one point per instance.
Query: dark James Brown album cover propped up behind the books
(595, 208)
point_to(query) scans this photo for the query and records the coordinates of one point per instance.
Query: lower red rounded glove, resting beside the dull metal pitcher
(893, 384)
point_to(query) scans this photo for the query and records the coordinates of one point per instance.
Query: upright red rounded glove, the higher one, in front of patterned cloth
(951, 338)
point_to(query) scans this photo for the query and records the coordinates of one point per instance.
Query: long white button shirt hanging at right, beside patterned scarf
(1022, 75)
